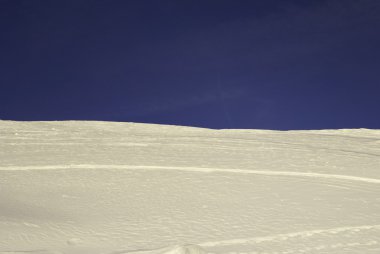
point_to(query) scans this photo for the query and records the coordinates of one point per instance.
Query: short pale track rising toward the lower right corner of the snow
(287, 236)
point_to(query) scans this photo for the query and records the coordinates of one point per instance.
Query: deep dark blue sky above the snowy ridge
(273, 64)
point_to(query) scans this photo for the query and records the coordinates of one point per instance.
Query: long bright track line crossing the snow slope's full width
(197, 169)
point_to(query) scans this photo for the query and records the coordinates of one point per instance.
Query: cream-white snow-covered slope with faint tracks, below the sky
(113, 188)
